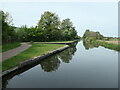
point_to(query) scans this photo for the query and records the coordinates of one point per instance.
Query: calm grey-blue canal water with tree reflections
(81, 66)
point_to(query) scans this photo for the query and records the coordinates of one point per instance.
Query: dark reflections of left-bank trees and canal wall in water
(48, 65)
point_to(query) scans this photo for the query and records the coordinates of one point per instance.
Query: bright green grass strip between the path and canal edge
(33, 51)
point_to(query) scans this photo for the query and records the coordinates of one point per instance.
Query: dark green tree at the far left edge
(8, 31)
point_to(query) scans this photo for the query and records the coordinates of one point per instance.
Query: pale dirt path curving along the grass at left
(15, 51)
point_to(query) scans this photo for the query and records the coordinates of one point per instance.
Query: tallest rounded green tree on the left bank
(49, 26)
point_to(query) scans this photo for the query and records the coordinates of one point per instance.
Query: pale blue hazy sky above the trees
(96, 16)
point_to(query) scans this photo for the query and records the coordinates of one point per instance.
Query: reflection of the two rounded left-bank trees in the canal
(52, 63)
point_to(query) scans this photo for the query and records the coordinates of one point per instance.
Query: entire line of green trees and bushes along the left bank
(48, 28)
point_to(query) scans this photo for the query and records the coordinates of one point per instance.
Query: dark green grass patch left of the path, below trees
(6, 47)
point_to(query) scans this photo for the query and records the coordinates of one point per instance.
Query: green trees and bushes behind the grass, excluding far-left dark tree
(49, 28)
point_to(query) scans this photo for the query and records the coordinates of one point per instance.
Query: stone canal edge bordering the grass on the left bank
(33, 60)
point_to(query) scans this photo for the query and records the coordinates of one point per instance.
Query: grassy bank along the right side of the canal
(107, 45)
